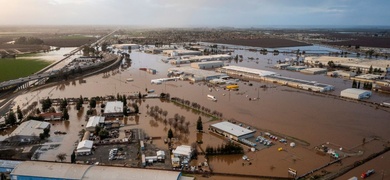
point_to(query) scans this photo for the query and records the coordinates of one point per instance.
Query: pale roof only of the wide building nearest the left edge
(30, 128)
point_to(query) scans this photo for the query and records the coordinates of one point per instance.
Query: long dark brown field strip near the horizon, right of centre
(263, 42)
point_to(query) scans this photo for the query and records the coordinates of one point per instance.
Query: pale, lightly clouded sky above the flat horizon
(196, 13)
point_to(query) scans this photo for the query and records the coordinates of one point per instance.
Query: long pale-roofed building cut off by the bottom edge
(55, 171)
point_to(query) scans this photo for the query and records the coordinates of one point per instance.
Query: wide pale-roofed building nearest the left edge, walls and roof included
(28, 131)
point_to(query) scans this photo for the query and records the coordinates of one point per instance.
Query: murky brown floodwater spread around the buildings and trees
(313, 118)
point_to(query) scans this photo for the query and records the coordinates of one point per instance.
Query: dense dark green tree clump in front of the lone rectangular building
(228, 148)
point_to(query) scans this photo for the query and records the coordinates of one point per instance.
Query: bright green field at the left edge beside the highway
(16, 68)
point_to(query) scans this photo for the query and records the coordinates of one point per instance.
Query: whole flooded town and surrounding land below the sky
(194, 103)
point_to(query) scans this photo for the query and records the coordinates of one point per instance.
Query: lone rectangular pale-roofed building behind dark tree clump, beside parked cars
(231, 130)
